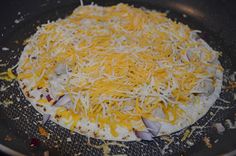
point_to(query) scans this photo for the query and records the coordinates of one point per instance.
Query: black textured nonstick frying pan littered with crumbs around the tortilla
(19, 121)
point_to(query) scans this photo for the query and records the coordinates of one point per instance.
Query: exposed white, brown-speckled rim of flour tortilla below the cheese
(193, 112)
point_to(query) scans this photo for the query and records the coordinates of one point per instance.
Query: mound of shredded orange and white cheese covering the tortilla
(117, 64)
